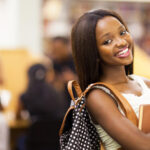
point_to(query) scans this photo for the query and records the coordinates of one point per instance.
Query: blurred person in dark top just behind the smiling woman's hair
(60, 54)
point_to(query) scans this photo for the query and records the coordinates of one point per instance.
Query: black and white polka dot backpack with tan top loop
(77, 132)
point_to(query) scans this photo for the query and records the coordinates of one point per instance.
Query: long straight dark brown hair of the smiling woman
(84, 47)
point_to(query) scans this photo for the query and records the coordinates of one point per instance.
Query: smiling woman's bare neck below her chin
(114, 75)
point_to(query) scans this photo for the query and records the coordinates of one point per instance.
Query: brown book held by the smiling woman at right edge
(144, 118)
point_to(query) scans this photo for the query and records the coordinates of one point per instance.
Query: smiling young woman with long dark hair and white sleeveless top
(103, 51)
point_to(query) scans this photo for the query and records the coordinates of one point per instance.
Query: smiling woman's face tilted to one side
(114, 42)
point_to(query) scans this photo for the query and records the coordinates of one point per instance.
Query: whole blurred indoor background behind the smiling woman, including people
(36, 63)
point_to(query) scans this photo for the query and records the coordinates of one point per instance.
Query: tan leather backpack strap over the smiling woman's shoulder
(126, 107)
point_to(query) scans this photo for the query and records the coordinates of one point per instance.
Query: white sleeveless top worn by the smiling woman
(134, 101)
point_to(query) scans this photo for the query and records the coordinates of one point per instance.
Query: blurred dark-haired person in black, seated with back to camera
(44, 105)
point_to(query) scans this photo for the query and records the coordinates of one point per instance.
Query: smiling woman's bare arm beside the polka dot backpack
(105, 112)
